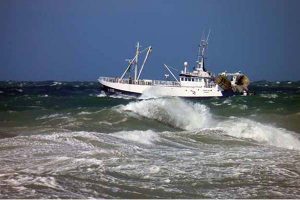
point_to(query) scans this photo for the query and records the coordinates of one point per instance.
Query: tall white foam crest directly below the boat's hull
(173, 111)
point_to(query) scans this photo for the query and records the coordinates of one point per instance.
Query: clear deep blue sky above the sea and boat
(71, 40)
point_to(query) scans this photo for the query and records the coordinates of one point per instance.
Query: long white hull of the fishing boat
(163, 90)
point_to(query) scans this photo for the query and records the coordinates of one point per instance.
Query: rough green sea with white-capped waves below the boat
(70, 140)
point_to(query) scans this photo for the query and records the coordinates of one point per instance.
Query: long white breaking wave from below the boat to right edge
(194, 116)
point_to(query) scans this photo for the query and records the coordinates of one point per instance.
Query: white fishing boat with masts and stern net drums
(198, 83)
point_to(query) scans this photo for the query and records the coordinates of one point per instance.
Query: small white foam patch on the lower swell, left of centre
(143, 137)
